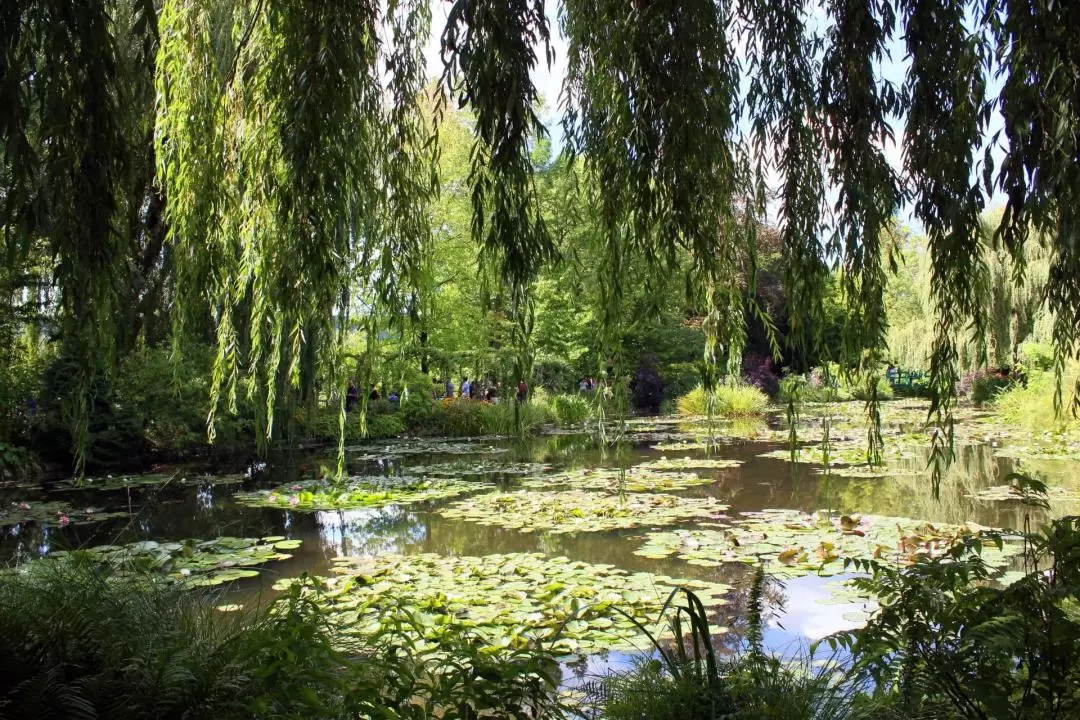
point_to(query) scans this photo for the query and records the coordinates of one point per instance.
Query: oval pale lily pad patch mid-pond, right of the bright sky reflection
(578, 511)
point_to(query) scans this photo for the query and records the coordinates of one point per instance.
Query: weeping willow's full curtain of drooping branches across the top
(298, 173)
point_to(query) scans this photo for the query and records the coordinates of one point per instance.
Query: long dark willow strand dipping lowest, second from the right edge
(947, 118)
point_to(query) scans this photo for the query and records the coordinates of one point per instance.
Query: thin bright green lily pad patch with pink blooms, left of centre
(356, 493)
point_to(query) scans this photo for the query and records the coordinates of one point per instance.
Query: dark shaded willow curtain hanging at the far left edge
(66, 164)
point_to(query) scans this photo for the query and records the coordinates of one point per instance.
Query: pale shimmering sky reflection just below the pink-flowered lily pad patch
(370, 531)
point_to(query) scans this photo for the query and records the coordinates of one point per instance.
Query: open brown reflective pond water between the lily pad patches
(804, 609)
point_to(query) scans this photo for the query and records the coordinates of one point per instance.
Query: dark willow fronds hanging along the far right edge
(1039, 60)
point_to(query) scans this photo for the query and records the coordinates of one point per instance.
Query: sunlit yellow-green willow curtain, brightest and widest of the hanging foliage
(286, 191)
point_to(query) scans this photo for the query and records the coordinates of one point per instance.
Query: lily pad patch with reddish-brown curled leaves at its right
(793, 544)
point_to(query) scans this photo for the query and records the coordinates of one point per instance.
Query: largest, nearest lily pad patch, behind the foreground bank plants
(507, 600)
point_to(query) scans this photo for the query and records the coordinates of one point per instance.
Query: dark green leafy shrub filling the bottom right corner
(949, 644)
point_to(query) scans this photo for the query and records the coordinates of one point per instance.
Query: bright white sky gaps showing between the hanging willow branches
(549, 83)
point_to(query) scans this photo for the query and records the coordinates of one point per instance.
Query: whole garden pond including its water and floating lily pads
(491, 517)
